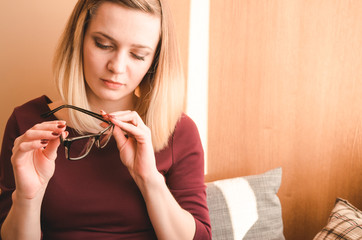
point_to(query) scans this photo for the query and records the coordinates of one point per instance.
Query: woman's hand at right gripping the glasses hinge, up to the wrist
(134, 142)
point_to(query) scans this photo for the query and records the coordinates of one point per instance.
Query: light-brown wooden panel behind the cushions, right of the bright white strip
(286, 90)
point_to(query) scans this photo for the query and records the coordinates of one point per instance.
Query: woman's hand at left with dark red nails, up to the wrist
(33, 158)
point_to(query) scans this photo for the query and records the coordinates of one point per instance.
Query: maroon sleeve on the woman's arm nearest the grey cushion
(185, 178)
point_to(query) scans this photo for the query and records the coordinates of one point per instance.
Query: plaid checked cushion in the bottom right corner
(344, 222)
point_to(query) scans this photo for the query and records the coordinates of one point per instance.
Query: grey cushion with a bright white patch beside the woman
(246, 207)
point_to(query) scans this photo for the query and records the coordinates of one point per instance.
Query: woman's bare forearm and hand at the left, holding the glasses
(32, 160)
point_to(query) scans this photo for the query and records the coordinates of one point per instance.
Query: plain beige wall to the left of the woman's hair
(29, 34)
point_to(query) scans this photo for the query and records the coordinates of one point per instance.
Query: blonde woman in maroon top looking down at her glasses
(118, 58)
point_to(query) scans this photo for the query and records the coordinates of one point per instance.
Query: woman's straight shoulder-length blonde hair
(161, 92)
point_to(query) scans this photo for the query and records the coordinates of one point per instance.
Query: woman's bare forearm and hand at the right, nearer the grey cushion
(169, 220)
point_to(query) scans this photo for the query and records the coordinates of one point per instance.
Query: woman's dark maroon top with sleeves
(96, 198)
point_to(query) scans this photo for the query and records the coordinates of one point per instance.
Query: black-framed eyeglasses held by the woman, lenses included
(78, 147)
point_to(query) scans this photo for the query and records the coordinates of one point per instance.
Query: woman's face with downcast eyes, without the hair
(119, 46)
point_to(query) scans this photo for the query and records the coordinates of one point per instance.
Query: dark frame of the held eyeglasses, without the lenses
(67, 142)
